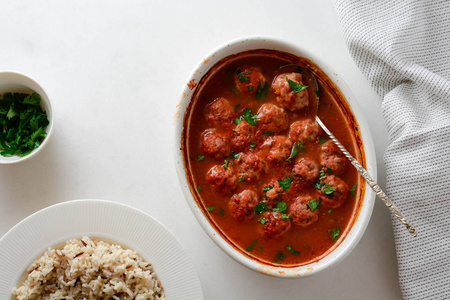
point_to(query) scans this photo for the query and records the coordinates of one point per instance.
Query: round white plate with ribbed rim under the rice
(101, 219)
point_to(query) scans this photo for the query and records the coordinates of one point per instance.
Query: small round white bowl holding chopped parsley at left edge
(19, 83)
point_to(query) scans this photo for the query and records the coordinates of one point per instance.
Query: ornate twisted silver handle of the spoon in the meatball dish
(375, 187)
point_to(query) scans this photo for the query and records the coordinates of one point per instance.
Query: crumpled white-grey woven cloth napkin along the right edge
(403, 48)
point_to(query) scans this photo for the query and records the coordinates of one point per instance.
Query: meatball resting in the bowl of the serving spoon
(286, 97)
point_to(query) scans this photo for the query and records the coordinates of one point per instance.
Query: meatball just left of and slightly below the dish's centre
(249, 166)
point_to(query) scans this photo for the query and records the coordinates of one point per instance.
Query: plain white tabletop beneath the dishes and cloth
(114, 71)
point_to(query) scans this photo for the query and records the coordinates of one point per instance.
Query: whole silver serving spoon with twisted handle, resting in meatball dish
(312, 81)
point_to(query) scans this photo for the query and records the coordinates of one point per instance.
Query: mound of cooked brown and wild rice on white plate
(88, 269)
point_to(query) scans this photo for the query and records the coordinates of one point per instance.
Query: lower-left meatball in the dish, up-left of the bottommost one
(241, 205)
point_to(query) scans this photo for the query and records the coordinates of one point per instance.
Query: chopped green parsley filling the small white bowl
(22, 122)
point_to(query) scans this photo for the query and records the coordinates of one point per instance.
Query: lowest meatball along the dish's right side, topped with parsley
(333, 191)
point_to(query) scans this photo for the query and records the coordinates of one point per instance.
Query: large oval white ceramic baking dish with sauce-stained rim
(346, 245)
